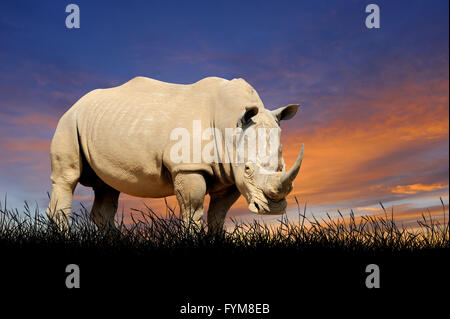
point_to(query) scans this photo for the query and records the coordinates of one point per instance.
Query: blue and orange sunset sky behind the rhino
(374, 113)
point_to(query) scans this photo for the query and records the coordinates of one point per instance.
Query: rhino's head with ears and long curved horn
(264, 181)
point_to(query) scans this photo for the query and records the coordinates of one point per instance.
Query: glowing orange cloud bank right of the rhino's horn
(371, 146)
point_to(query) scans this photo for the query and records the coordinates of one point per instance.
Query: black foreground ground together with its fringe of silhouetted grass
(155, 267)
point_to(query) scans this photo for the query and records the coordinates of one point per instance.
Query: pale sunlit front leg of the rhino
(190, 190)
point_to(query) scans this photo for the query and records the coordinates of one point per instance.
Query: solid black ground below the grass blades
(157, 284)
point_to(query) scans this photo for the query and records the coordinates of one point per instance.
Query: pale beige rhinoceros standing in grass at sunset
(120, 139)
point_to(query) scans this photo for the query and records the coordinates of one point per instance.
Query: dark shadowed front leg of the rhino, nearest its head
(219, 205)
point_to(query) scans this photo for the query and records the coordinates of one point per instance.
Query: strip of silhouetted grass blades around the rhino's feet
(149, 232)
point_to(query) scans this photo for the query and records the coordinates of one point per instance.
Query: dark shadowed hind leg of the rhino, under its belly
(105, 207)
